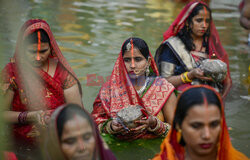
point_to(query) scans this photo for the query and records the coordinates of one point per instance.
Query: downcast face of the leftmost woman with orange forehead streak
(44, 52)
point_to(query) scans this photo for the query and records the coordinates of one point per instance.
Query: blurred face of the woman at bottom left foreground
(78, 141)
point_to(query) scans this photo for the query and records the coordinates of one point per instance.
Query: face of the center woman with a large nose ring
(136, 65)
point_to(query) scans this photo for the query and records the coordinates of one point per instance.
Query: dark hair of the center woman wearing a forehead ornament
(139, 44)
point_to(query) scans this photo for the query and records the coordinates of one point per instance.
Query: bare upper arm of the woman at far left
(72, 95)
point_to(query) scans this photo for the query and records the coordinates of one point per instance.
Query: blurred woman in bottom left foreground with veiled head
(72, 135)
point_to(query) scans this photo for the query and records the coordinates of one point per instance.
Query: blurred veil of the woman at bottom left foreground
(52, 146)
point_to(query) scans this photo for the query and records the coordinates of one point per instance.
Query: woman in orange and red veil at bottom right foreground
(199, 129)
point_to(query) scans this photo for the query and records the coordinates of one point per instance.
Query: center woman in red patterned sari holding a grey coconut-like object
(132, 83)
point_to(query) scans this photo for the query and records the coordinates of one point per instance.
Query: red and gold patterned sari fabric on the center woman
(118, 92)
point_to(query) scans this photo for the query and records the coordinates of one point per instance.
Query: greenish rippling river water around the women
(91, 32)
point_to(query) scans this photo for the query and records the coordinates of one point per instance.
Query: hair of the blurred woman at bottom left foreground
(68, 113)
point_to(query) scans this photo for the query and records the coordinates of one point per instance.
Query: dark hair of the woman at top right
(185, 33)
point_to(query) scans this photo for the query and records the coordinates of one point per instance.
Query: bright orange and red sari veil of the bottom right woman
(172, 150)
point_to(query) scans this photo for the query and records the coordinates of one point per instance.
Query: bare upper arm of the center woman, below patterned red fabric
(169, 108)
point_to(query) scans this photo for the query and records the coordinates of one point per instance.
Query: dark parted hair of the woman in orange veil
(190, 98)
